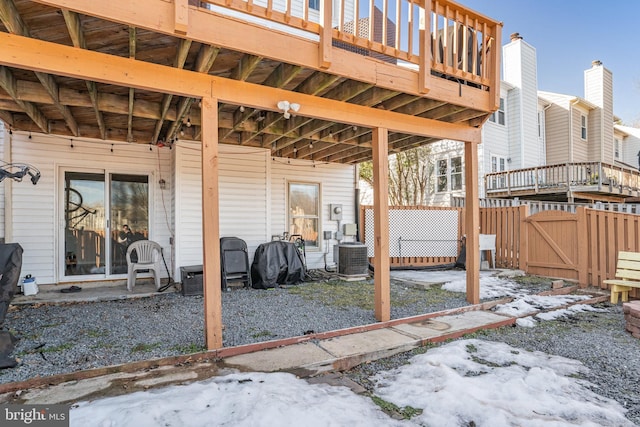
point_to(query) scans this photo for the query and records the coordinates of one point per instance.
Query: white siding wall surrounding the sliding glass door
(36, 220)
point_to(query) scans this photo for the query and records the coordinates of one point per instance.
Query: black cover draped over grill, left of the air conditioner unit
(276, 263)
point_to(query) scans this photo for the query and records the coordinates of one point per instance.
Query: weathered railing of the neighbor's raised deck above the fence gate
(595, 175)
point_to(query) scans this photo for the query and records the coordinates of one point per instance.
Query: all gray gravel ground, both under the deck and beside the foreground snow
(57, 339)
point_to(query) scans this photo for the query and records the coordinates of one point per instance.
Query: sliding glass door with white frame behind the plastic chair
(96, 208)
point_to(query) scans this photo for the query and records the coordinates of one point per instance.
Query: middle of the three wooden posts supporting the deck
(381, 275)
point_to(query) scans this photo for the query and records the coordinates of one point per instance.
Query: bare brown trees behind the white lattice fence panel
(409, 176)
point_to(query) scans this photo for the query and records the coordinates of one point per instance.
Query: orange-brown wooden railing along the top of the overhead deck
(440, 37)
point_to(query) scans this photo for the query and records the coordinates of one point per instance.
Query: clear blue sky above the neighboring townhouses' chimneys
(568, 35)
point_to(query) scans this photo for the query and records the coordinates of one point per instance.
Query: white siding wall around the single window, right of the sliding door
(253, 201)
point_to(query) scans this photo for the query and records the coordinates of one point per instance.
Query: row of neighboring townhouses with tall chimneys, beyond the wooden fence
(544, 145)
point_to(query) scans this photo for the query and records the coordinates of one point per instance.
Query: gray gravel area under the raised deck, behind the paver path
(55, 339)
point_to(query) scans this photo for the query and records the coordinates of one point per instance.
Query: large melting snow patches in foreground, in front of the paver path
(491, 384)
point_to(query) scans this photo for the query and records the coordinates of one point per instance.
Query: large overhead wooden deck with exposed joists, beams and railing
(60, 60)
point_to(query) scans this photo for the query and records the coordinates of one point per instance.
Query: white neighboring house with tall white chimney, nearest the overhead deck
(512, 137)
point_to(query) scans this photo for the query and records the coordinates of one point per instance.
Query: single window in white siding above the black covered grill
(304, 212)
